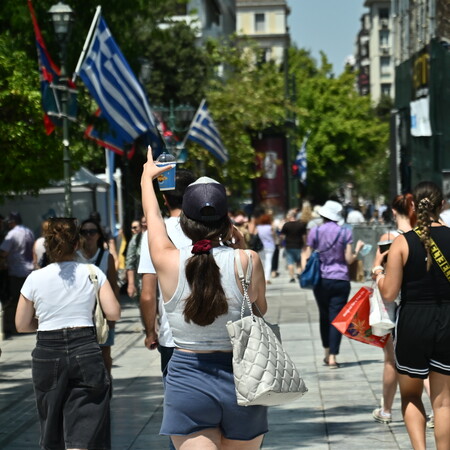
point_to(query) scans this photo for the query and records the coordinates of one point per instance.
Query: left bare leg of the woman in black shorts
(413, 410)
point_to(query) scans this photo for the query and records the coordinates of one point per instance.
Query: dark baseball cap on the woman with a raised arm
(205, 200)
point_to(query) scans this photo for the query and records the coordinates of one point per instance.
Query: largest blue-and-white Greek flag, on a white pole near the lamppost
(115, 88)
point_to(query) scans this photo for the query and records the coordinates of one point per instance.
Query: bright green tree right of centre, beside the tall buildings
(346, 134)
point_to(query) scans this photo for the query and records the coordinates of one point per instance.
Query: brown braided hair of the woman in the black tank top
(428, 201)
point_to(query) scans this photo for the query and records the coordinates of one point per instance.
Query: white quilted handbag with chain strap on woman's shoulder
(264, 374)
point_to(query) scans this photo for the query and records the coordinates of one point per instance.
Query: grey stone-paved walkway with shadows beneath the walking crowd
(334, 414)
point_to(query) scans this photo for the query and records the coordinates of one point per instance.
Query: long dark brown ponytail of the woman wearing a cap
(207, 300)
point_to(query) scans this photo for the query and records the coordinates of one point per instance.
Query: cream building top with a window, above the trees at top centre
(265, 22)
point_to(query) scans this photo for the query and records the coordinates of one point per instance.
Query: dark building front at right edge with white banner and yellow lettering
(420, 122)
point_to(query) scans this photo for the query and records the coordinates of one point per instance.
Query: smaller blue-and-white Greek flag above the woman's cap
(204, 132)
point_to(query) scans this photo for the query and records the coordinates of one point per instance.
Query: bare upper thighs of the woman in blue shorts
(212, 439)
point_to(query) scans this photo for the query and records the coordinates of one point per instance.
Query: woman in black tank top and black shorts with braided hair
(417, 265)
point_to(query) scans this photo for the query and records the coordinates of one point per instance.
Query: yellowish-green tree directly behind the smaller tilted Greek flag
(247, 101)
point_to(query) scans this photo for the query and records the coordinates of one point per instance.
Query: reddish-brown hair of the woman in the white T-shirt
(61, 238)
